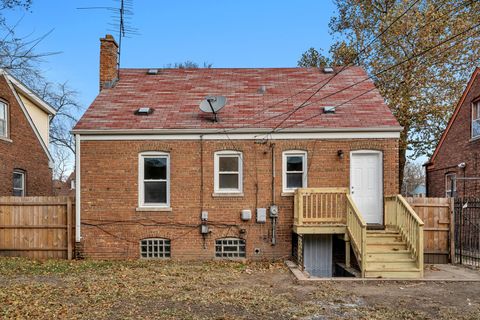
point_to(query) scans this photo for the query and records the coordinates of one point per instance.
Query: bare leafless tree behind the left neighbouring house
(19, 56)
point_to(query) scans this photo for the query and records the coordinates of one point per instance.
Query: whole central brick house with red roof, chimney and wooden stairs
(158, 178)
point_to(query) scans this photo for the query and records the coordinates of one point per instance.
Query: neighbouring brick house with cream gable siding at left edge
(25, 162)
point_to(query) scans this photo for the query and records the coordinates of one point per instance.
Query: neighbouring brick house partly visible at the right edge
(454, 169)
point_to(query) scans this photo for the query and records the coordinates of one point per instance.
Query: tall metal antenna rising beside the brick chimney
(121, 17)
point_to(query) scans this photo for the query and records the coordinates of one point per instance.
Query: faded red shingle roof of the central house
(175, 95)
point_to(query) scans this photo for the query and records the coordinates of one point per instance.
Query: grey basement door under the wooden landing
(317, 254)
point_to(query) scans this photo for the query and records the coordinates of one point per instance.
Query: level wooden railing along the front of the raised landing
(320, 206)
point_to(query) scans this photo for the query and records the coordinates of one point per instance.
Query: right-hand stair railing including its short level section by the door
(400, 215)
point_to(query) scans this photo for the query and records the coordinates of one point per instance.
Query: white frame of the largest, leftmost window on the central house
(141, 186)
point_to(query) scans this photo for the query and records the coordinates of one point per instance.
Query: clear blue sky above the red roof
(224, 33)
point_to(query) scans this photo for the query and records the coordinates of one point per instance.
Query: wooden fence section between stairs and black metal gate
(438, 239)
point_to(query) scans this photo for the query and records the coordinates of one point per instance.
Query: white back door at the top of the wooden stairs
(366, 184)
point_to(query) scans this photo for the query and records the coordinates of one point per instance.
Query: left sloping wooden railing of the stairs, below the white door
(357, 231)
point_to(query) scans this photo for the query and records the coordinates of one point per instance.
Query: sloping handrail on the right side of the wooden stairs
(410, 227)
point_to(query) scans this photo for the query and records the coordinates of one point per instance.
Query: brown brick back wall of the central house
(109, 191)
